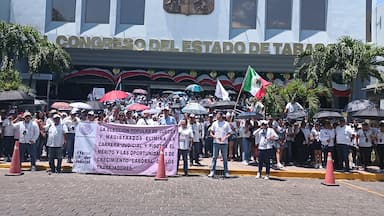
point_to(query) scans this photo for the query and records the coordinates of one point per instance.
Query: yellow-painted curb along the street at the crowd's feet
(281, 174)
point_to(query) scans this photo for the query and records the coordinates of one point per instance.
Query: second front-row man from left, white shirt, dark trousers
(57, 136)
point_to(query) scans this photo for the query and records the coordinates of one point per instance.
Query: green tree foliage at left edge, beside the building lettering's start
(17, 41)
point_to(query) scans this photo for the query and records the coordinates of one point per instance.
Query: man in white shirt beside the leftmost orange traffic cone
(29, 133)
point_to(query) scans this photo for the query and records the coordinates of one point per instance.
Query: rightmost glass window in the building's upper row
(313, 14)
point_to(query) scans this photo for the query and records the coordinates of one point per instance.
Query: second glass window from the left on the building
(97, 11)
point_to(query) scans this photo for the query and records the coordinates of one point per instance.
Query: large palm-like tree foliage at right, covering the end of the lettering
(343, 62)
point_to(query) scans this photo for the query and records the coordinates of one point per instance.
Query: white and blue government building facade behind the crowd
(167, 44)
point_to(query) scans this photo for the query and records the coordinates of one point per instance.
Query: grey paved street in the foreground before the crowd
(75, 194)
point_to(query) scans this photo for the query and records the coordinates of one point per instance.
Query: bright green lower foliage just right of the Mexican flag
(307, 93)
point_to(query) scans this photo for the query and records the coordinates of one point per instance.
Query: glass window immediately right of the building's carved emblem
(244, 14)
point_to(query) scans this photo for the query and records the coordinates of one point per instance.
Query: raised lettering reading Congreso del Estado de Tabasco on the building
(187, 46)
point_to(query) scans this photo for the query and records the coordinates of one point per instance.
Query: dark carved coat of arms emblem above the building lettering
(189, 7)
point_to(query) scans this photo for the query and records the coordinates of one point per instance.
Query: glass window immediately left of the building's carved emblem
(132, 12)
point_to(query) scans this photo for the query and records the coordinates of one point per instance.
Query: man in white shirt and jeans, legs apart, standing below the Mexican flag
(220, 131)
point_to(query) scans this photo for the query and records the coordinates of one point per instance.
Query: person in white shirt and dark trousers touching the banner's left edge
(71, 122)
